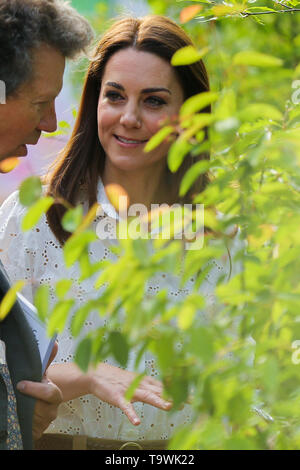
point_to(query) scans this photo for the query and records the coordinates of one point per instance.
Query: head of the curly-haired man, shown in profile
(35, 38)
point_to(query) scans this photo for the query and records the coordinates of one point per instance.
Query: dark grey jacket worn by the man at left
(24, 363)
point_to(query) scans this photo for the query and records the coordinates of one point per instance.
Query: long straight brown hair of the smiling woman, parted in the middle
(82, 160)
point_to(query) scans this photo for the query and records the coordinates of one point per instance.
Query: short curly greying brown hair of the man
(26, 24)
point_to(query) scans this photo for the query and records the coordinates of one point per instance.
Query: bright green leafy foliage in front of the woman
(239, 370)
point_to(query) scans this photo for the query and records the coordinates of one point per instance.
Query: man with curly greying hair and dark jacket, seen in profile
(36, 36)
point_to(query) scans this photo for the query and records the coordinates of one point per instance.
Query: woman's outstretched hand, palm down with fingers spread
(109, 383)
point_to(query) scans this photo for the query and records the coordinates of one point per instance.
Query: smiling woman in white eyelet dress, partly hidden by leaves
(130, 90)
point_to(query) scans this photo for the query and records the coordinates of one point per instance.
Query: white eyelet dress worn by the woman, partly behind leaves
(36, 256)
